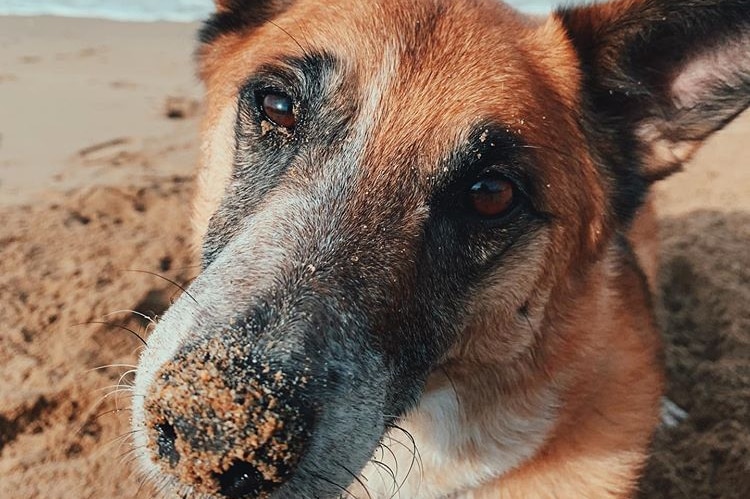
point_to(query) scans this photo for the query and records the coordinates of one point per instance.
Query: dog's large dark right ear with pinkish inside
(664, 73)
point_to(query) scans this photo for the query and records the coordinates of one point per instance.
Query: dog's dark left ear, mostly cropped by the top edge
(232, 16)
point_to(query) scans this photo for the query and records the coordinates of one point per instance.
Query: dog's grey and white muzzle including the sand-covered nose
(266, 379)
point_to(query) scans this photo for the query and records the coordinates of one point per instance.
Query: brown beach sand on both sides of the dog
(95, 180)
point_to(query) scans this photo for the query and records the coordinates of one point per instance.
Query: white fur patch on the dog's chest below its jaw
(453, 453)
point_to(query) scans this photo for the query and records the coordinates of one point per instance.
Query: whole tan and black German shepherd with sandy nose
(427, 247)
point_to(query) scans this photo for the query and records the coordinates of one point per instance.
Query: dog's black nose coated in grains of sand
(226, 424)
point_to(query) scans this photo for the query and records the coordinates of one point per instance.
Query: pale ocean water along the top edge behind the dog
(159, 10)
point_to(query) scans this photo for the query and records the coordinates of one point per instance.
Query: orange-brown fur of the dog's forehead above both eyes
(427, 73)
